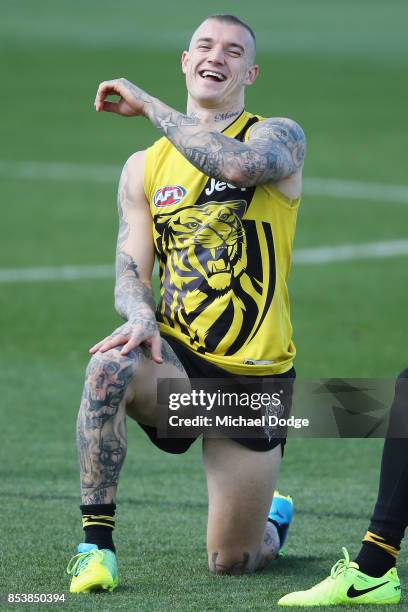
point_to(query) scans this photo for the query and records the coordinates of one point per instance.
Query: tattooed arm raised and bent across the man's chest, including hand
(274, 152)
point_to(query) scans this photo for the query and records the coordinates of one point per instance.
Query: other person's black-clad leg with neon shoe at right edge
(371, 578)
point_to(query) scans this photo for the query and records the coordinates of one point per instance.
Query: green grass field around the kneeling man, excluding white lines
(340, 70)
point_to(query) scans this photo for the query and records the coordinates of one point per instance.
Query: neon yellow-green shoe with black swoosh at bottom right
(346, 585)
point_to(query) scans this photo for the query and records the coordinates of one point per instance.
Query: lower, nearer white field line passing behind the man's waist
(312, 256)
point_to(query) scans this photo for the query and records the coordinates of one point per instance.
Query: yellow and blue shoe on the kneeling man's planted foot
(93, 570)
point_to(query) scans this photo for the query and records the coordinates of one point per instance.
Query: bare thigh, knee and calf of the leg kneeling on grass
(241, 484)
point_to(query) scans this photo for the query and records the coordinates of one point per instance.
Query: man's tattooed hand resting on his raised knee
(131, 335)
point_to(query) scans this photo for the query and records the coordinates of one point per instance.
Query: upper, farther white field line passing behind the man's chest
(108, 173)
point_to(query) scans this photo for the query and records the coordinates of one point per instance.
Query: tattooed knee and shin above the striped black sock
(101, 428)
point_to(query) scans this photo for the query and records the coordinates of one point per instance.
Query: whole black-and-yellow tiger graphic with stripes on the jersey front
(212, 290)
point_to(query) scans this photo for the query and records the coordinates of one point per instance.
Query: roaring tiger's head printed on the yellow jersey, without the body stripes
(205, 247)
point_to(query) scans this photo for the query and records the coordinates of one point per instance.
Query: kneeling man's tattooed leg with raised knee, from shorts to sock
(116, 385)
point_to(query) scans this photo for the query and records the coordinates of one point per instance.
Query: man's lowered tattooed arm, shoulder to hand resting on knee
(134, 265)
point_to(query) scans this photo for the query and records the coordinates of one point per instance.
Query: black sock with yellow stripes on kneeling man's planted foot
(98, 523)
